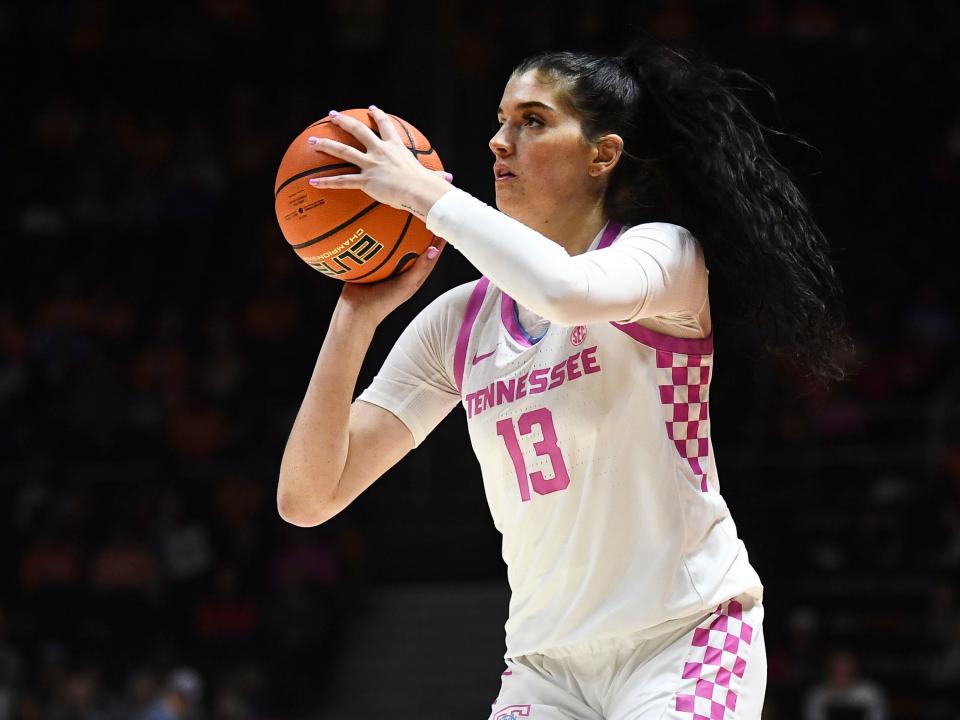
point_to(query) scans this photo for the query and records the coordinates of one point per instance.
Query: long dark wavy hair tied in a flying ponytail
(695, 155)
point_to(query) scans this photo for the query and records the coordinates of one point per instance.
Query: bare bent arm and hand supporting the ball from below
(336, 448)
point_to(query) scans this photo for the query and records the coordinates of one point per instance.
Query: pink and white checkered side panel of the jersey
(684, 393)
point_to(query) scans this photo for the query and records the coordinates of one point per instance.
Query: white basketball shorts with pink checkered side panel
(713, 668)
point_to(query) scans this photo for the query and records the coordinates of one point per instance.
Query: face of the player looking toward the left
(543, 160)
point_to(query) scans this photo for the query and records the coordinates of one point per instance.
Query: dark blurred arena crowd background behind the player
(157, 334)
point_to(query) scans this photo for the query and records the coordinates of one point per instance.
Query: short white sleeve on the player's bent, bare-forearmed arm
(416, 382)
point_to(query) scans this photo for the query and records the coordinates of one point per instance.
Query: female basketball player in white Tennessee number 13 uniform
(583, 359)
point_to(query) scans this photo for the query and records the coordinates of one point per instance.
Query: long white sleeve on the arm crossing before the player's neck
(653, 269)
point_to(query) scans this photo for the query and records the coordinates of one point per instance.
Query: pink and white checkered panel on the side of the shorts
(718, 661)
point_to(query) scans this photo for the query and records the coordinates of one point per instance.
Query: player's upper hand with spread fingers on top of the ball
(389, 172)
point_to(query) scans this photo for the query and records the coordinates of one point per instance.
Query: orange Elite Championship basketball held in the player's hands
(345, 233)
